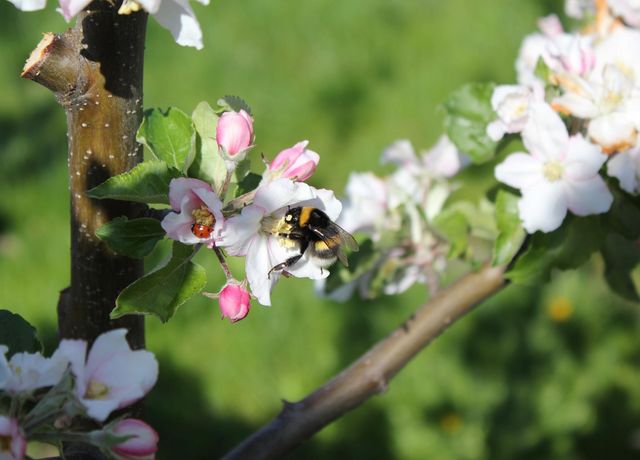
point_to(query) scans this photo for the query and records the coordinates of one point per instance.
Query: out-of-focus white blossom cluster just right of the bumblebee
(398, 214)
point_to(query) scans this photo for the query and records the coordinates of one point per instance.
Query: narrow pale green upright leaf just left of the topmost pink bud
(207, 165)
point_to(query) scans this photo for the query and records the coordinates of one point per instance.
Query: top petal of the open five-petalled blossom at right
(545, 135)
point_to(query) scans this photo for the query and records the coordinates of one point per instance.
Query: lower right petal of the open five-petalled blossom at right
(588, 197)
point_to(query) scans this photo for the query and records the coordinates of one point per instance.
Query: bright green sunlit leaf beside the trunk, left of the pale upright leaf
(170, 136)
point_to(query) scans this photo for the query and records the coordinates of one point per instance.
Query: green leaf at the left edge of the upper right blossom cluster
(468, 113)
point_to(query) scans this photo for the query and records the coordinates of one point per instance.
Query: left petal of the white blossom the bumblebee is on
(240, 230)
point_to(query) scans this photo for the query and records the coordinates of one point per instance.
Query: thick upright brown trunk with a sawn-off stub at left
(95, 72)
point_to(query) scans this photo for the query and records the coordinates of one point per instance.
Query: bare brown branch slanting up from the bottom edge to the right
(370, 374)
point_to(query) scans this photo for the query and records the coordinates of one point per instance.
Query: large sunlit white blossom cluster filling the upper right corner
(576, 107)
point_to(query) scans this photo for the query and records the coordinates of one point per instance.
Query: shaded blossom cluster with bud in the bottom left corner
(43, 398)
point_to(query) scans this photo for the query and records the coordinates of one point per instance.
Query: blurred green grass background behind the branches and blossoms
(549, 373)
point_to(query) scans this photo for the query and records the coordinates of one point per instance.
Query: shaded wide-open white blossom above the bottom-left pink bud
(112, 376)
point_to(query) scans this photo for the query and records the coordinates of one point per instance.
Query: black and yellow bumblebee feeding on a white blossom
(313, 232)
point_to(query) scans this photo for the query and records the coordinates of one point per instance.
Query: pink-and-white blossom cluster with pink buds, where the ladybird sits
(250, 225)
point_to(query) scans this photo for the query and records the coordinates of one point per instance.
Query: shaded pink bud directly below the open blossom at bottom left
(142, 446)
